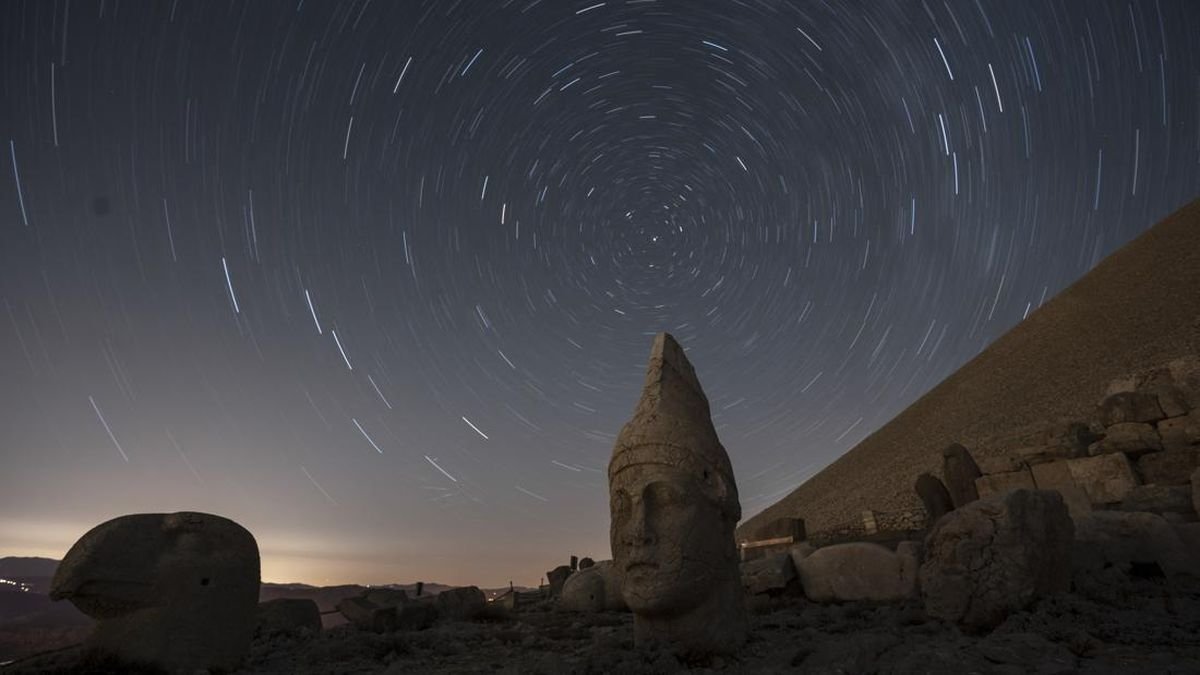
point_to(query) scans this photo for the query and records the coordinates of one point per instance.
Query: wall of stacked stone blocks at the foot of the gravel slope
(1136, 452)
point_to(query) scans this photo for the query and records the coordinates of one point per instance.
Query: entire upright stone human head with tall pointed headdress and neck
(675, 506)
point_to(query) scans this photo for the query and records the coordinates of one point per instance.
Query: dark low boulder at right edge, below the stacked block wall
(1123, 539)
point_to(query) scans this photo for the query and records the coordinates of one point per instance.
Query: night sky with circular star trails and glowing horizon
(379, 280)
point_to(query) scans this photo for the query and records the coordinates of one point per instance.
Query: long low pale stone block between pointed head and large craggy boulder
(859, 571)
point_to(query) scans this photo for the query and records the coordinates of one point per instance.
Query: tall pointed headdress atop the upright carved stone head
(673, 426)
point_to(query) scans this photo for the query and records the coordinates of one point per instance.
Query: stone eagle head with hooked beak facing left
(178, 592)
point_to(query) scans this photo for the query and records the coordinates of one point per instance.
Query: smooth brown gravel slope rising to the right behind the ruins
(1139, 308)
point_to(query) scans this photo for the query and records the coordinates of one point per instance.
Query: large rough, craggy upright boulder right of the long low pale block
(997, 557)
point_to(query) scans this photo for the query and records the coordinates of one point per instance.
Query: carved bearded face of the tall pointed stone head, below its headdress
(669, 539)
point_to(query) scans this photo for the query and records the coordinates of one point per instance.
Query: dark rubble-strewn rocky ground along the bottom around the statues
(1127, 626)
